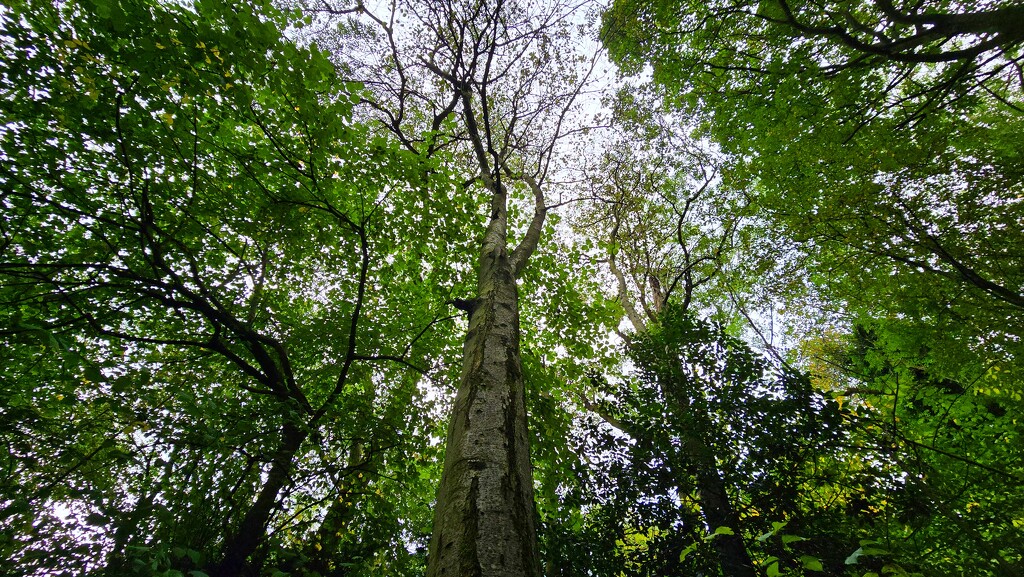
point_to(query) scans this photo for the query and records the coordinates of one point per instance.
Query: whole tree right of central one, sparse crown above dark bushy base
(708, 420)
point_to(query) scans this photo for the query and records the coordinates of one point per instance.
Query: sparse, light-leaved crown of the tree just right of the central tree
(666, 227)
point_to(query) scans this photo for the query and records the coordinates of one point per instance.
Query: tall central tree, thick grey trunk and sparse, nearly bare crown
(493, 89)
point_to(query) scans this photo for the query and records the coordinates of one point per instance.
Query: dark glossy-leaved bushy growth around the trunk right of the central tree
(738, 436)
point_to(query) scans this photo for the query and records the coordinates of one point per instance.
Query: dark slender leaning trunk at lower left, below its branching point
(240, 547)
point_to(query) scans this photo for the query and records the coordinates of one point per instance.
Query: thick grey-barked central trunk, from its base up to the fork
(484, 522)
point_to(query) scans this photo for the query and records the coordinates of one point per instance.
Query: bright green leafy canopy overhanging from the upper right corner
(879, 166)
